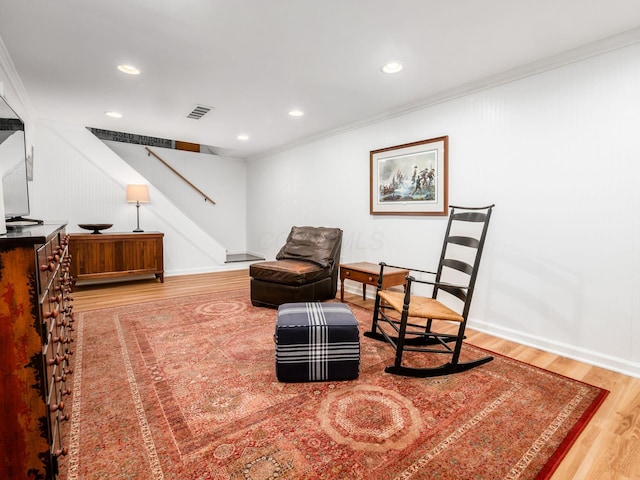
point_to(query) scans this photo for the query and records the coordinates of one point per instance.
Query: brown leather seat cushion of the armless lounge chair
(288, 272)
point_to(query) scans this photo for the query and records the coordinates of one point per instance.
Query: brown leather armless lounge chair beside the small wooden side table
(305, 269)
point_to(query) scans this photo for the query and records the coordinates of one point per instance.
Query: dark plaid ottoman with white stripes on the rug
(316, 342)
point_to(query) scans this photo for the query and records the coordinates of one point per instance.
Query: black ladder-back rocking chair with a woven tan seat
(412, 332)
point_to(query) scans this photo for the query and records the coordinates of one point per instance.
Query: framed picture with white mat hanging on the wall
(410, 179)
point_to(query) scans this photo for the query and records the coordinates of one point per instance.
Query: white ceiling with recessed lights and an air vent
(255, 60)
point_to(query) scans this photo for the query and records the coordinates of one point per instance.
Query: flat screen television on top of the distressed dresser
(13, 167)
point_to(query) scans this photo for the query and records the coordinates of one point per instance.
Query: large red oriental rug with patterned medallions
(186, 389)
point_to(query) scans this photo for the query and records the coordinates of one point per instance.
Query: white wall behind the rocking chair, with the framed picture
(557, 152)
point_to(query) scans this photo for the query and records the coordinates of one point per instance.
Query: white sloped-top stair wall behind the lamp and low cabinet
(78, 179)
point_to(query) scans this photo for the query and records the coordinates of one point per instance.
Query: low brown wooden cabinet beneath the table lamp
(109, 255)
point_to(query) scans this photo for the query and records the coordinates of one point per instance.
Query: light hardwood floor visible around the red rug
(608, 449)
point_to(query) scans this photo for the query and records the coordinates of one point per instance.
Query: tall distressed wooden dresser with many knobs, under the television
(35, 350)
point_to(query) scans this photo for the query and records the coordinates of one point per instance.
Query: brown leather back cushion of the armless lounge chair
(313, 244)
